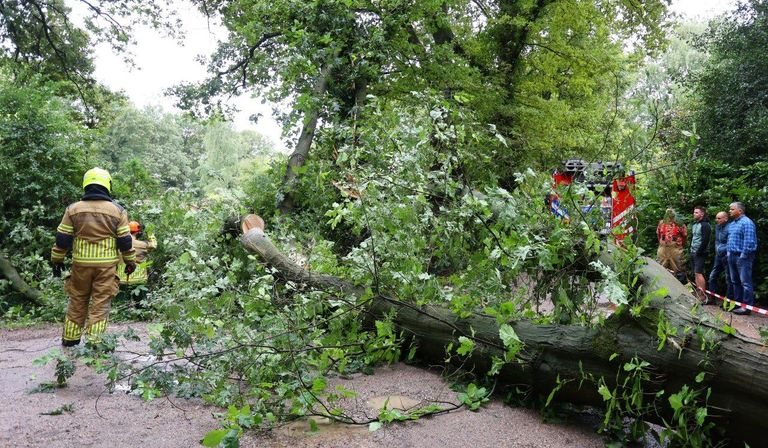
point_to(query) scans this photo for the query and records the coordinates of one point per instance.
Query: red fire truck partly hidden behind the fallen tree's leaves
(613, 196)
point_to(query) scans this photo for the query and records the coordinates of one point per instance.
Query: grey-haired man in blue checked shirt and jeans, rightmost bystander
(742, 245)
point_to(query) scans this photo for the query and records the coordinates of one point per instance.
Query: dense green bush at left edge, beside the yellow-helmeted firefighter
(38, 137)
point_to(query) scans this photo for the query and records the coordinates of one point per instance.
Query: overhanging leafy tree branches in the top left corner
(40, 40)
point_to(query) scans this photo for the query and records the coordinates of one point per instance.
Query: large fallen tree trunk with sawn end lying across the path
(734, 365)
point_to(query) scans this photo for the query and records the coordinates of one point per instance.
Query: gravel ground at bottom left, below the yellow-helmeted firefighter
(98, 418)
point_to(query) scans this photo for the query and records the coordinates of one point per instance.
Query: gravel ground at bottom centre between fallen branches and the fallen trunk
(494, 425)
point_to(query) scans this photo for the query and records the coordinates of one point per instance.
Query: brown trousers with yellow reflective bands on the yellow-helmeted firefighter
(90, 290)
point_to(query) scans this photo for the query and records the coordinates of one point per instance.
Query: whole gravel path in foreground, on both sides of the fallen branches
(99, 419)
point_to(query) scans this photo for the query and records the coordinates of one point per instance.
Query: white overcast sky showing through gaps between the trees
(162, 63)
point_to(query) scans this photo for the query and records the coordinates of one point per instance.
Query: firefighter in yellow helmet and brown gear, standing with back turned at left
(95, 229)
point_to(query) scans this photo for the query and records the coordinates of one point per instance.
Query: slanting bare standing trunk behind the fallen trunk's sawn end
(299, 155)
